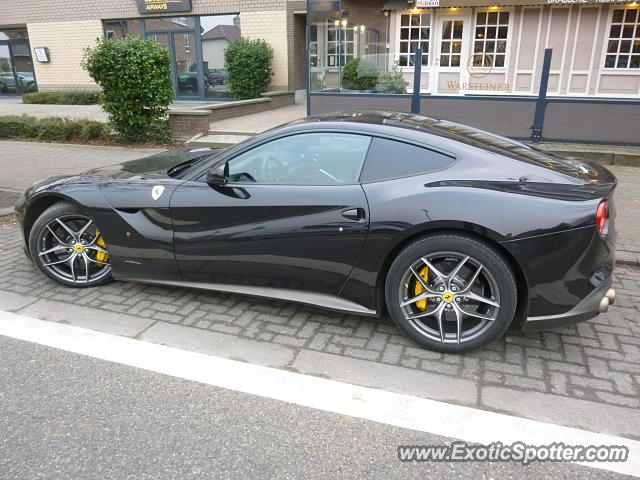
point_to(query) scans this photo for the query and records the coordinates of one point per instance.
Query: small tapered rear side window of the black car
(389, 159)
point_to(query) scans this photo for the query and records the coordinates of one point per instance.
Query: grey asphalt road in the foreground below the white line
(63, 415)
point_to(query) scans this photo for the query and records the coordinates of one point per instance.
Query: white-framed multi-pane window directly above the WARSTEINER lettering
(490, 39)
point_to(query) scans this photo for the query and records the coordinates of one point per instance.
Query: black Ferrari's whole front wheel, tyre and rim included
(68, 247)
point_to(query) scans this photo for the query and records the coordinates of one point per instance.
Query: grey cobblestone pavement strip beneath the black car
(598, 360)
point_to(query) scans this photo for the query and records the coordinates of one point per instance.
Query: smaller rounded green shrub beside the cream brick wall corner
(248, 66)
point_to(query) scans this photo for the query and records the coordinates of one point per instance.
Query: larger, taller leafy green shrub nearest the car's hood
(135, 76)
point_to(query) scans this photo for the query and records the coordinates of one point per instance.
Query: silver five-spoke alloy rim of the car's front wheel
(67, 249)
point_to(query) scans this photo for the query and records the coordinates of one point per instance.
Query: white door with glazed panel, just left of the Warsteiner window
(451, 55)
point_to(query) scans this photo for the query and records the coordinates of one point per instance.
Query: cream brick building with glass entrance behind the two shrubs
(67, 28)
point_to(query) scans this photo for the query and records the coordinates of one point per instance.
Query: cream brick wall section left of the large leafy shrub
(66, 42)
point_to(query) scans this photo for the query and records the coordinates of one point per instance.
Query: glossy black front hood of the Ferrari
(153, 166)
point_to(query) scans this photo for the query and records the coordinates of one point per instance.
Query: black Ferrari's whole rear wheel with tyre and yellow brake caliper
(451, 293)
